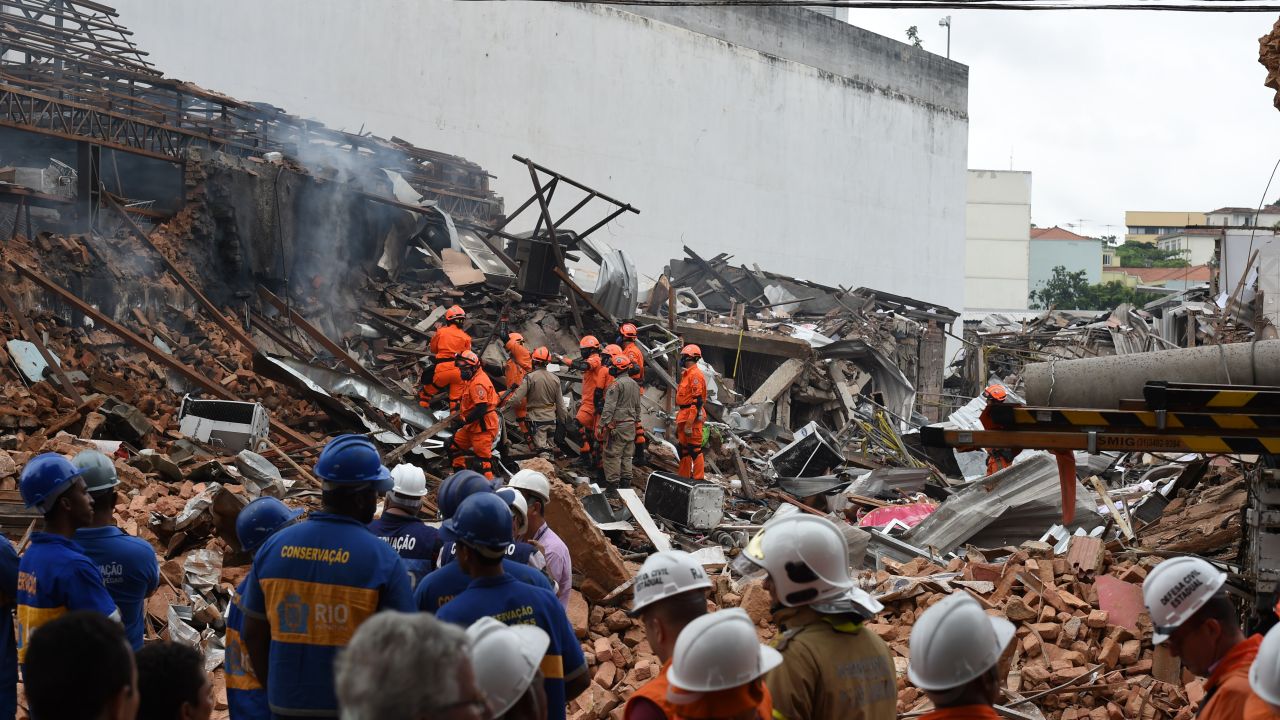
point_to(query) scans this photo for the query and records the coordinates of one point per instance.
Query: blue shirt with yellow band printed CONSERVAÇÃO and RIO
(316, 584)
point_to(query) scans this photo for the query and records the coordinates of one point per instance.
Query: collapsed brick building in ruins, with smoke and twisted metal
(208, 289)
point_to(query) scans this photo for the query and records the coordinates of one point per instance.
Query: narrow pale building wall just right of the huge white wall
(998, 240)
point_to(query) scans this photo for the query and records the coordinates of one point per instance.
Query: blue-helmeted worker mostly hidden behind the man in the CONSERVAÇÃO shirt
(246, 698)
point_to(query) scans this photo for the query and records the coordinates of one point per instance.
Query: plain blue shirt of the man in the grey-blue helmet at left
(130, 572)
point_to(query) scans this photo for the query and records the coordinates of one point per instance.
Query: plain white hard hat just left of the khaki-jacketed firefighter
(717, 653)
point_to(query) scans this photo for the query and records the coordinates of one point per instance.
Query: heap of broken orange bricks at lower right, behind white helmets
(1084, 645)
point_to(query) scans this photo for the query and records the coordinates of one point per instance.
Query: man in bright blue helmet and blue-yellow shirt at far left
(54, 576)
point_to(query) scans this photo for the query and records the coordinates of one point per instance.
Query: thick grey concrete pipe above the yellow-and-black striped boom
(1104, 382)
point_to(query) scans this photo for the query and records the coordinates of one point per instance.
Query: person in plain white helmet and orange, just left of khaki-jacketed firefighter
(717, 671)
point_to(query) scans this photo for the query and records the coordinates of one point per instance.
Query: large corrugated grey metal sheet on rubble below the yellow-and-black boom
(1008, 508)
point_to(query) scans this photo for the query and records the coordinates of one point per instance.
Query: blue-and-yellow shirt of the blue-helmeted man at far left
(54, 578)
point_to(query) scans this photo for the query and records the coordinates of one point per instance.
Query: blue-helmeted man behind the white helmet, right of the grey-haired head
(483, 531)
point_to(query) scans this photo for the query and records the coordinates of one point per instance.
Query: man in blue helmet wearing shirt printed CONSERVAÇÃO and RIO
(314, 584)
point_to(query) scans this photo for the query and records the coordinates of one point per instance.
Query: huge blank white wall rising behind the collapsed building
(845, 167)
